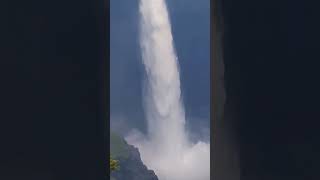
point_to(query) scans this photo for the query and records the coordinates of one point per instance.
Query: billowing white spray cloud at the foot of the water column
(192, 162)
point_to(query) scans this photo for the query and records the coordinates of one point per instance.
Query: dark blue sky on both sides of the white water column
(191, 33)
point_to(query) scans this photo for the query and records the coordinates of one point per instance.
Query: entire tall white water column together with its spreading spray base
(166, 148)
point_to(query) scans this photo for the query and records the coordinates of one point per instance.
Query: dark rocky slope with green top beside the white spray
(131, 165)
